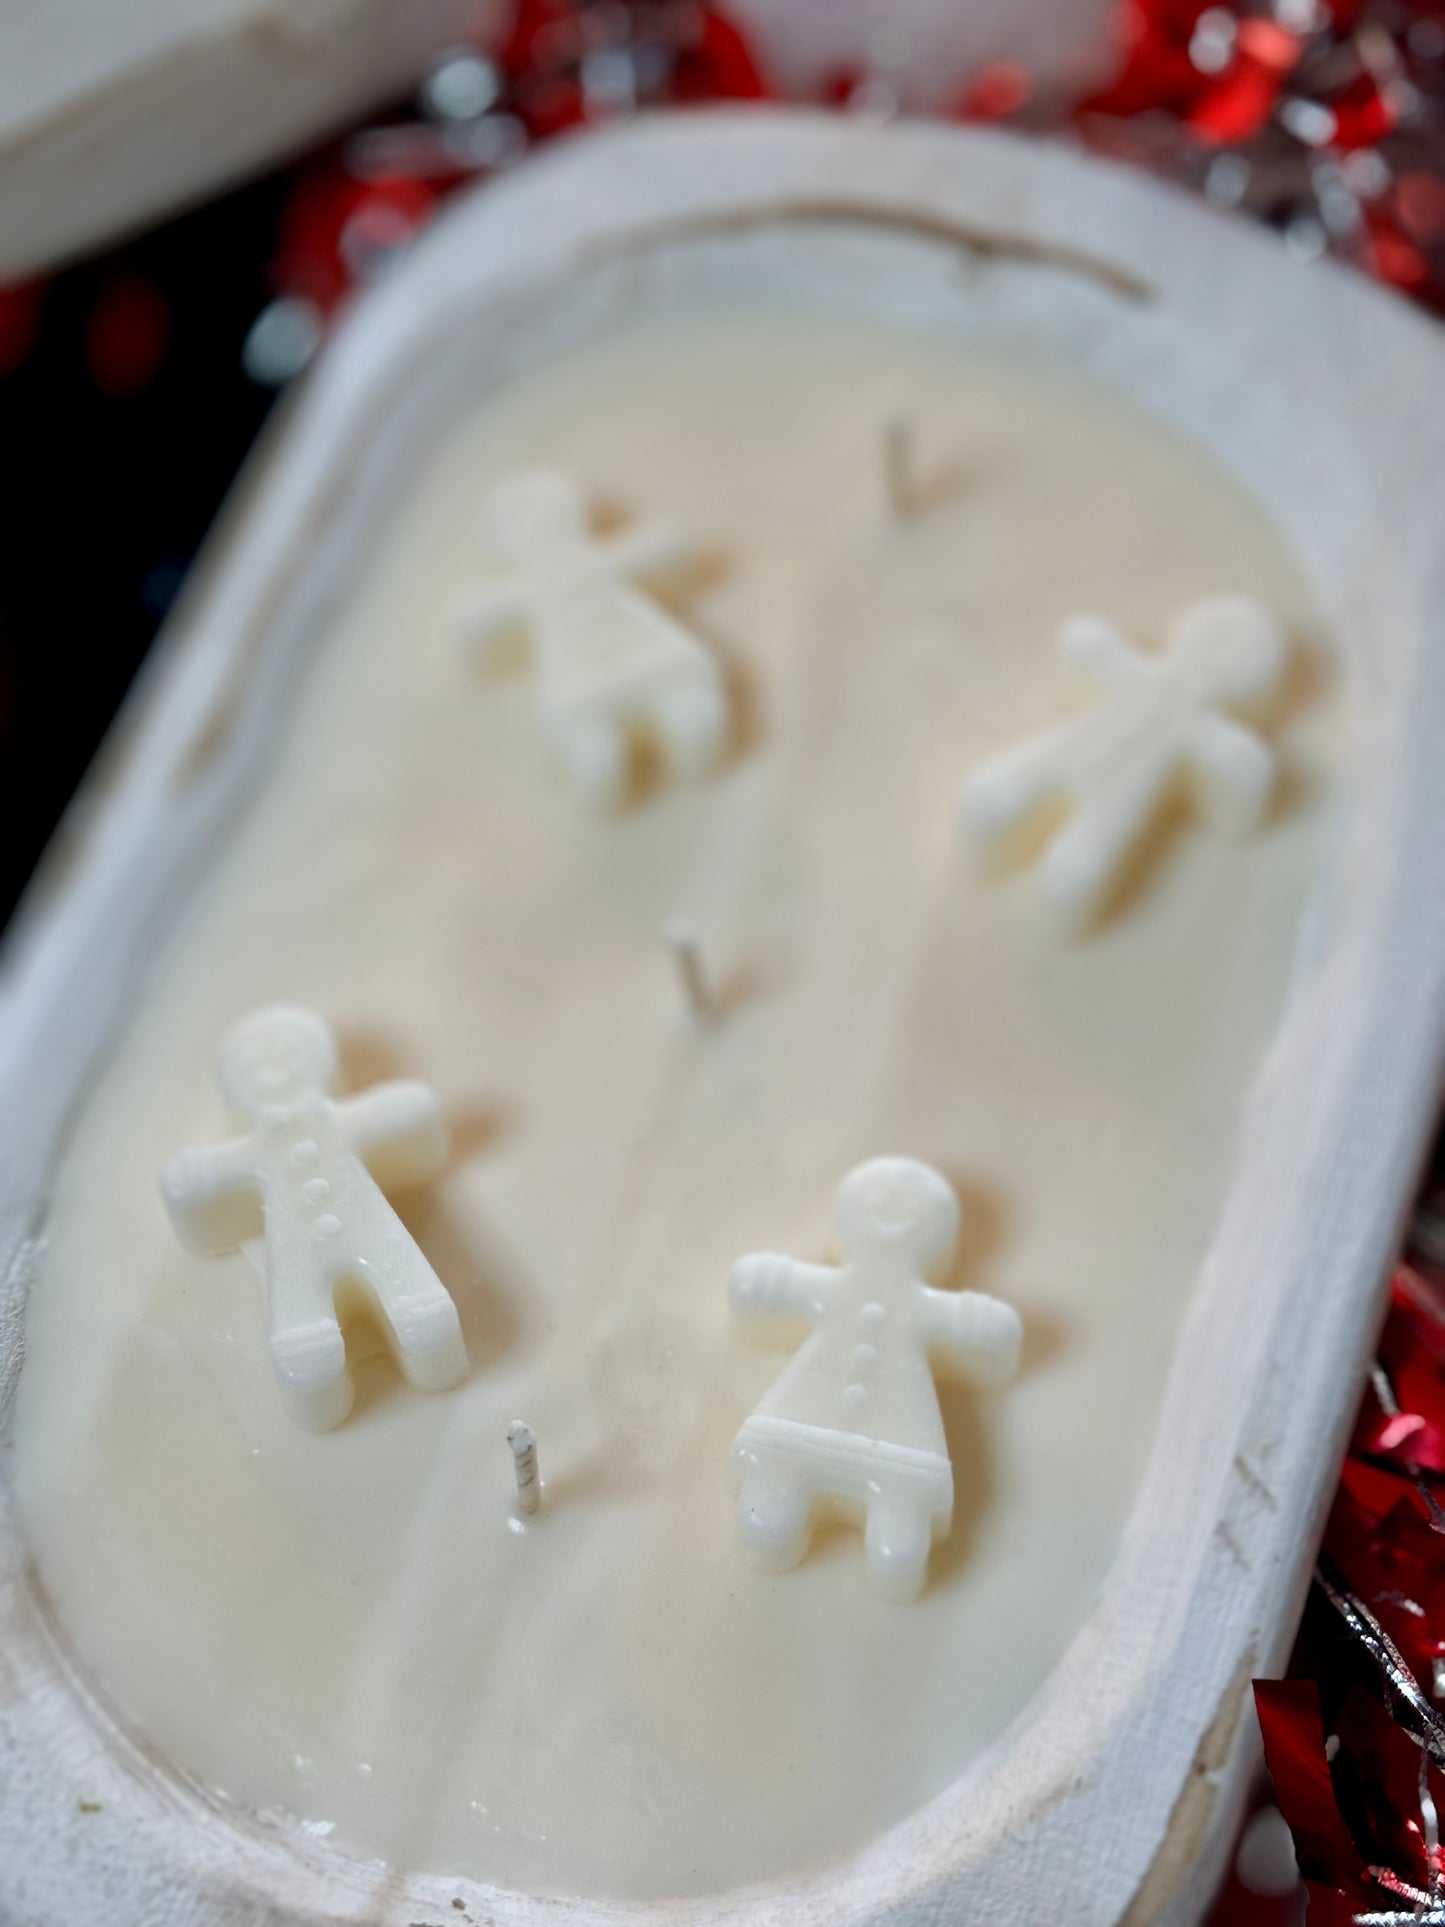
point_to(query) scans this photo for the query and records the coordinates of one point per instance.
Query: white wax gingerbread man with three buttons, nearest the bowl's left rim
(309, 1178)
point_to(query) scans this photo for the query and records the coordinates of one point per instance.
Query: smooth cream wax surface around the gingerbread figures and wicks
(348, 1629)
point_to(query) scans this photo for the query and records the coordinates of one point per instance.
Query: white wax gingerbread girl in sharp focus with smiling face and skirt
(853, 1425)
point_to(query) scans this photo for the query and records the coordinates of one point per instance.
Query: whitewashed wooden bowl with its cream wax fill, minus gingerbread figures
(1178, 1142)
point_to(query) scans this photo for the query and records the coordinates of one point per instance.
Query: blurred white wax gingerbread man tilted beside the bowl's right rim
(1170, 726)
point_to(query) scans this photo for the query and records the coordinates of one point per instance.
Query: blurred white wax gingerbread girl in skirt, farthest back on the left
(612, 664)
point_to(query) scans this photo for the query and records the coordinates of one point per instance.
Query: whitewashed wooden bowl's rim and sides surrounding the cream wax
(1117, 1791)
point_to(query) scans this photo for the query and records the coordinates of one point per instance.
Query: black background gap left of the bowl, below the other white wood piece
(124, 415)
